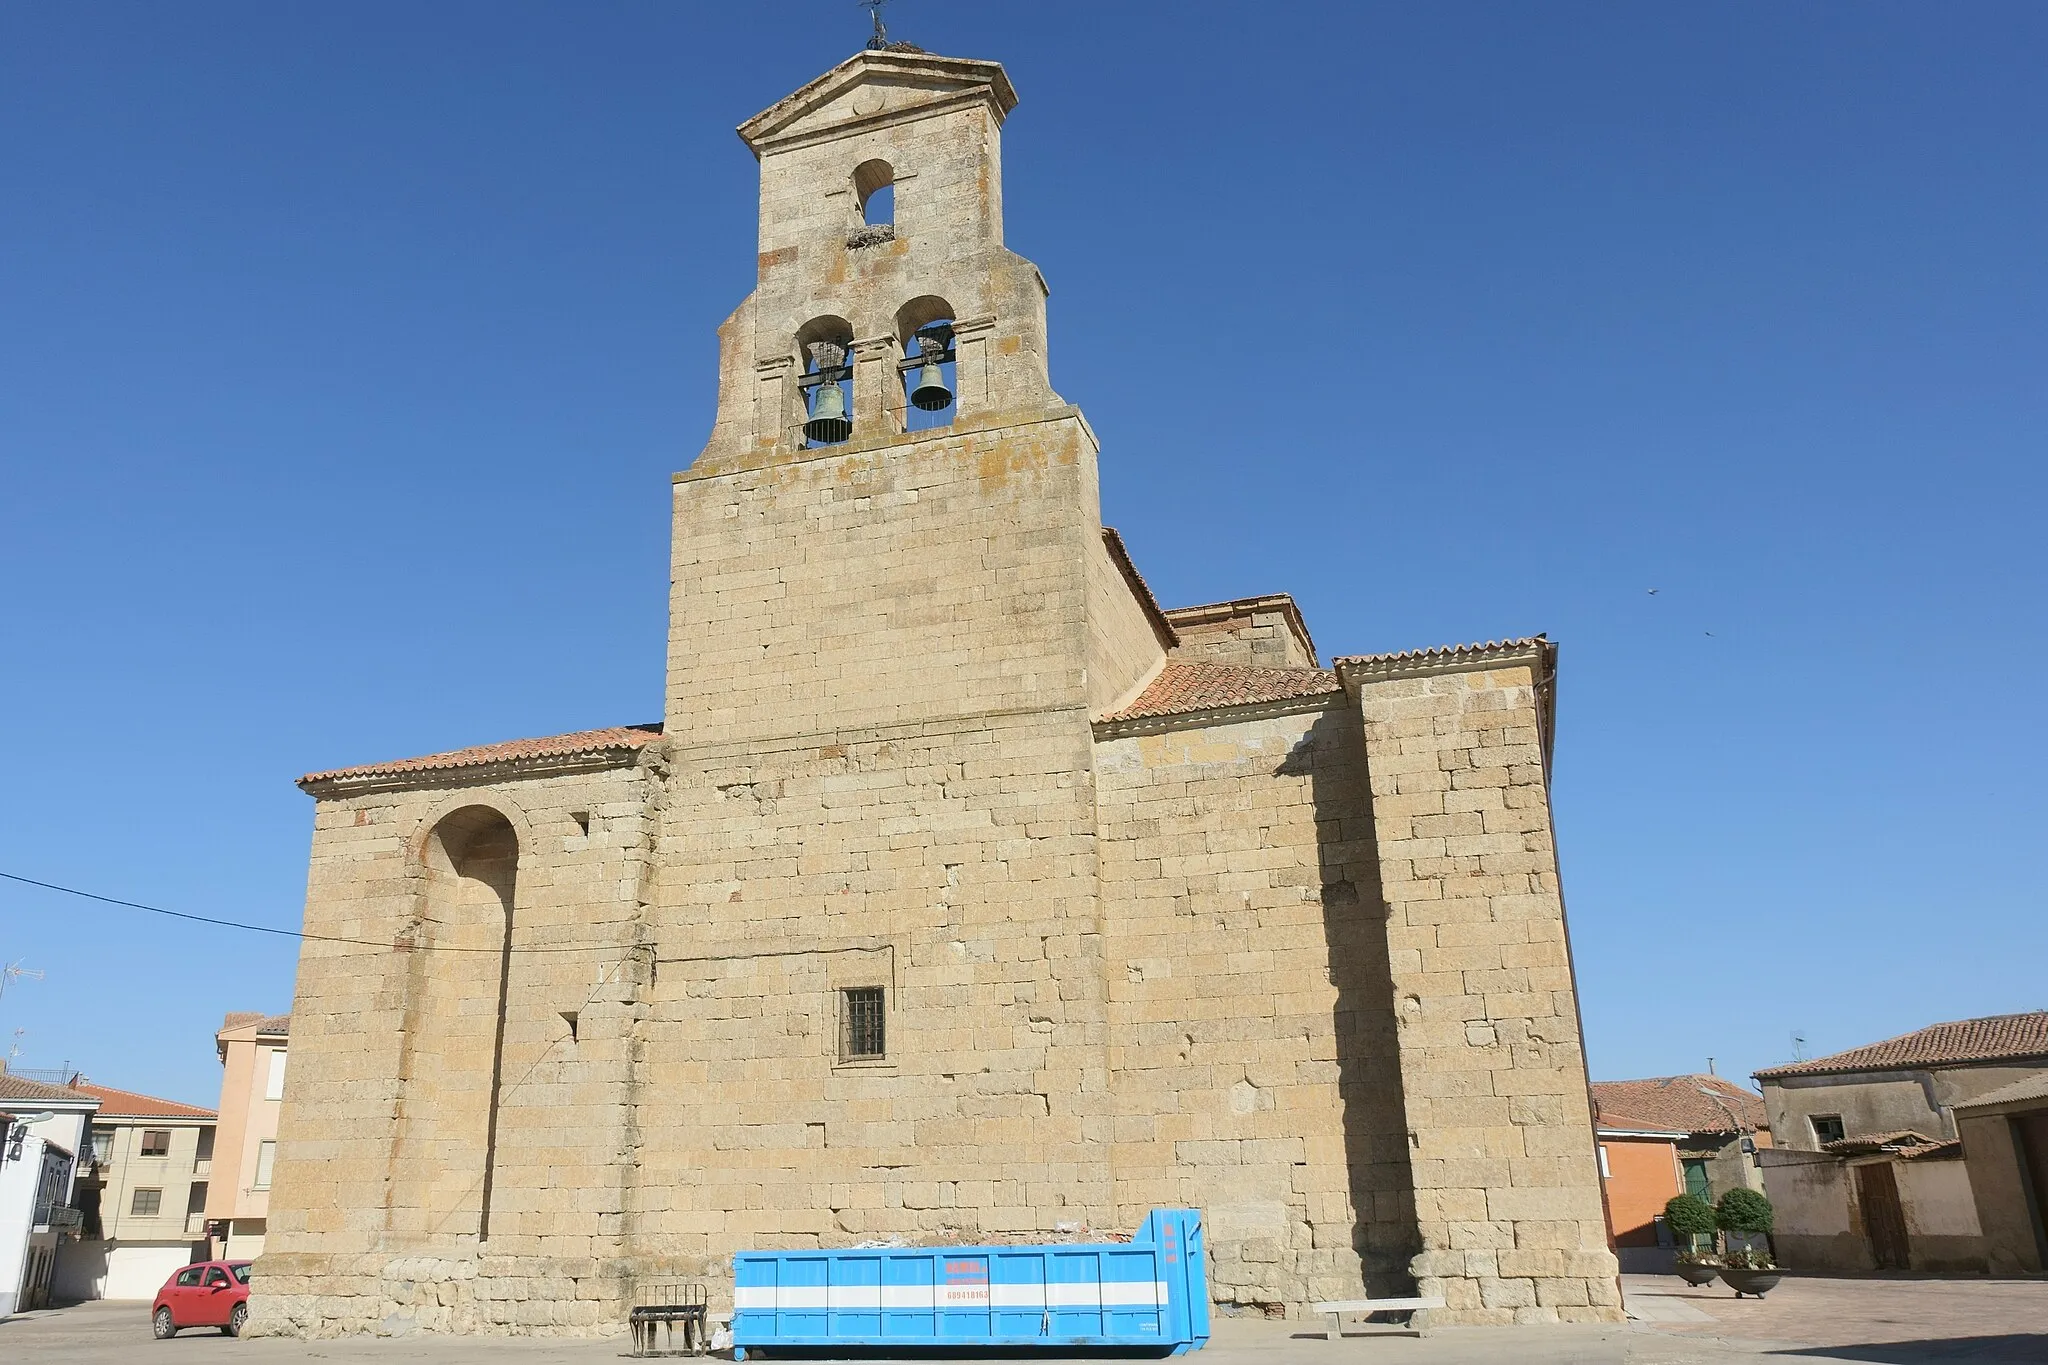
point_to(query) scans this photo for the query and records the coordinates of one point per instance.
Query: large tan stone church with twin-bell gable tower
(964, 893)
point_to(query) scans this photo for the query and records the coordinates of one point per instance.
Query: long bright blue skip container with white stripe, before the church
(1148, 1292)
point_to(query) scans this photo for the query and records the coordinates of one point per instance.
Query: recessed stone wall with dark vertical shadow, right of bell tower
(1254, 1061)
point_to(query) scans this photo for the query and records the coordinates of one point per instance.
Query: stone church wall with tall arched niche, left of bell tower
(374, 1206)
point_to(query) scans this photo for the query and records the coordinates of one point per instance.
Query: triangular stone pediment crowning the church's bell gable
(878, 87)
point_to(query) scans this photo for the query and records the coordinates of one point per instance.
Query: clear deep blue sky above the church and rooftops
(345, 355)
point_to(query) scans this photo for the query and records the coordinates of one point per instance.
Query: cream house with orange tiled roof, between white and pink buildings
(142, 1194)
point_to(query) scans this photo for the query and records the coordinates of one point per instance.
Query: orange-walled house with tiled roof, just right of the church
(1668, 1137)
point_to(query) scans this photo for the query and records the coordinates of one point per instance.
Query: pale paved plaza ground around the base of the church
(1885, 1321)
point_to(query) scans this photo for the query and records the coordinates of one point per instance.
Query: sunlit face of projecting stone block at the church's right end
(1494, 1073)
